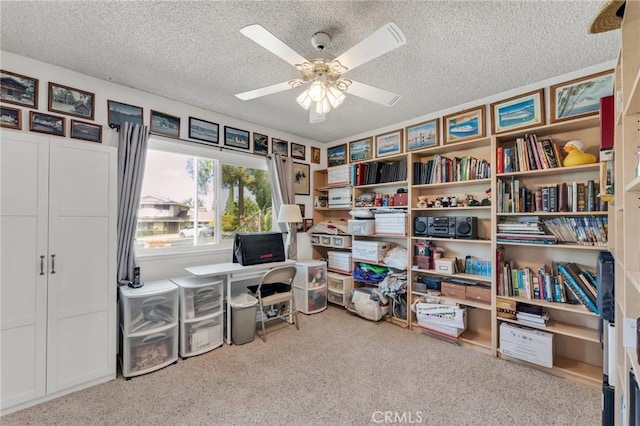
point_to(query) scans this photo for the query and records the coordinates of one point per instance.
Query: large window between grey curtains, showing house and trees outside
(195, 201)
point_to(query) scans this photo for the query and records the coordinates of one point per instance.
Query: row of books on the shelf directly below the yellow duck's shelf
(514, 197)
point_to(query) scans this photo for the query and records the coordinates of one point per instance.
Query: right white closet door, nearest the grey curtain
(82, 291)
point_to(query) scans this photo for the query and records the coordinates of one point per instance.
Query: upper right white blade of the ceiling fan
(385, 39)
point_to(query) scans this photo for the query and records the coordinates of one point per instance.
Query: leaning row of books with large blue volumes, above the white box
(553, 282)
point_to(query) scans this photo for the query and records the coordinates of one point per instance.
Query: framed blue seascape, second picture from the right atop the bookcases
(519, 112)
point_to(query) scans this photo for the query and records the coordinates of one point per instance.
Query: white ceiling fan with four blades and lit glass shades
(327, 87)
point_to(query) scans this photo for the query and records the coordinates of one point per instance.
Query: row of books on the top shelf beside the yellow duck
(529, 153)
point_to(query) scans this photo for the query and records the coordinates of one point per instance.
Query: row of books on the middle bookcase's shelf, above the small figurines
(441, 169)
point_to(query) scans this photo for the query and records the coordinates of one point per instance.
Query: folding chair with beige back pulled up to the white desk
(276, 288)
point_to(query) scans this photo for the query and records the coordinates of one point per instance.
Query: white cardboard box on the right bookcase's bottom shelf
(527, 344)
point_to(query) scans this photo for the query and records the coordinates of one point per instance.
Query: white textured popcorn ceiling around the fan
(193, 52)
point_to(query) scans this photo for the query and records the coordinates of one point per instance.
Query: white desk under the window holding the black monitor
(234, 272)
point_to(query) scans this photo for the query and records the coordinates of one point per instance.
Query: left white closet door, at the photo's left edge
(24, 161)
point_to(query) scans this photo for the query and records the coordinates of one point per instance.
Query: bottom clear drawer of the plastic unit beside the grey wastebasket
(201, 336)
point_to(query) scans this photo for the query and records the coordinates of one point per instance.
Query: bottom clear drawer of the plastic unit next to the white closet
(149, 352)
